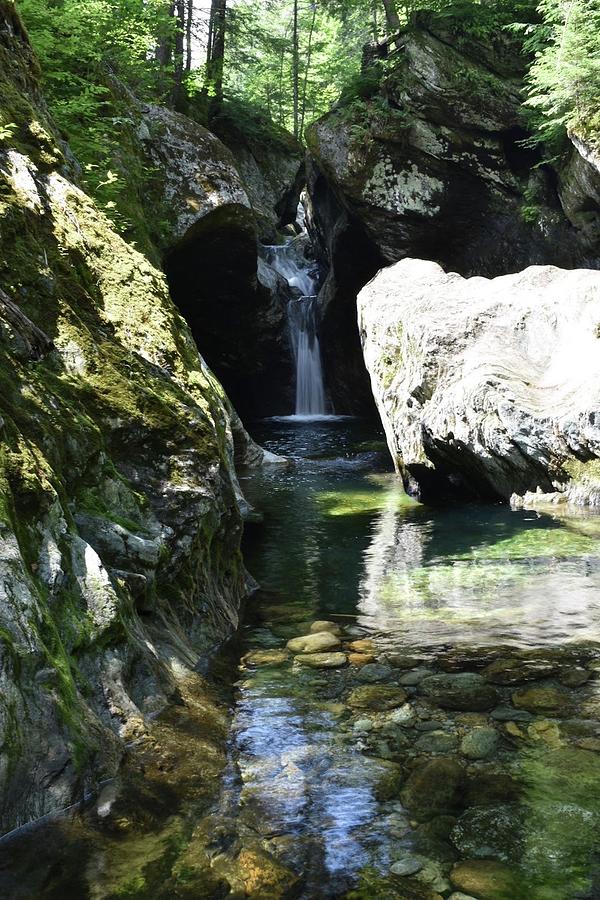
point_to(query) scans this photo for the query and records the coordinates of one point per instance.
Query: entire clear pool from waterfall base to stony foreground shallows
(456, 747)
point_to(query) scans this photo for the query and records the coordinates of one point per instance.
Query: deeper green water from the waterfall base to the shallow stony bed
(341, 537)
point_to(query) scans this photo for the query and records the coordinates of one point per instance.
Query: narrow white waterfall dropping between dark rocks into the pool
(303, 318)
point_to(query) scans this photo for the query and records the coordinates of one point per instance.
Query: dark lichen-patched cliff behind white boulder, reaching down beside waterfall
(431, 165)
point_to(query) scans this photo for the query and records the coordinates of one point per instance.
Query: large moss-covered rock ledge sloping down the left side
(119, 514)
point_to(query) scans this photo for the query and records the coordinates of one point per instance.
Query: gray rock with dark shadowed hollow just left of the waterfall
(214, 203)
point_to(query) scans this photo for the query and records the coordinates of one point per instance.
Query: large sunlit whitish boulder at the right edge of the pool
(495, 380)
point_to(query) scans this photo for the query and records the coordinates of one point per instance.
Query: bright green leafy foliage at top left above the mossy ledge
(92, 56)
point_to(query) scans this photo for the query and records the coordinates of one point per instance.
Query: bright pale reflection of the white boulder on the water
(434, 579)
